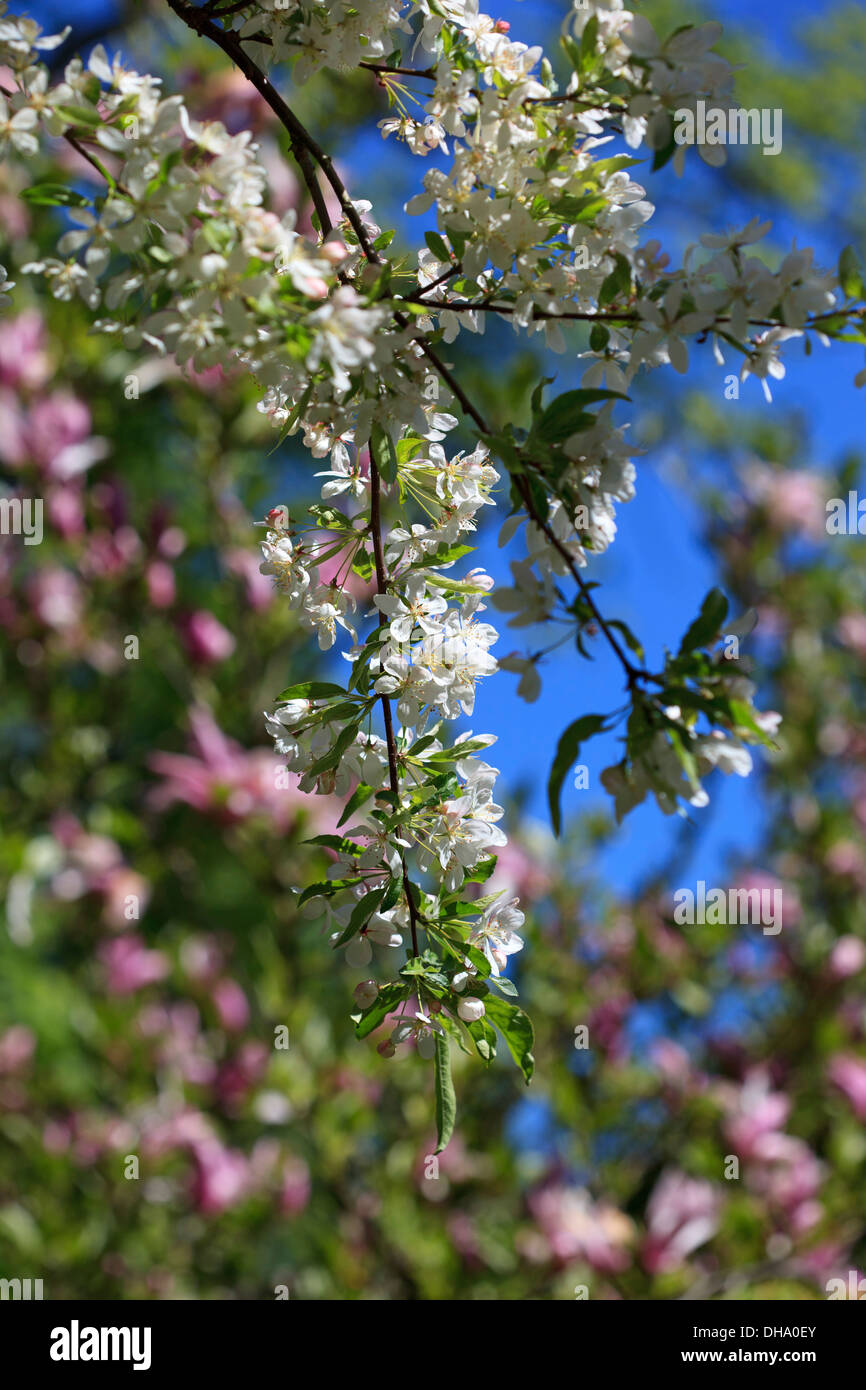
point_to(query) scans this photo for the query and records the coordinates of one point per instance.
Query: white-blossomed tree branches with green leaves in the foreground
(532, 220)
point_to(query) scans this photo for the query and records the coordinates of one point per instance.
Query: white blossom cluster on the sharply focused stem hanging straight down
(425, 657)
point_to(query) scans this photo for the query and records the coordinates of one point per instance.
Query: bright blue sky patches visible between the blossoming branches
(657, 572)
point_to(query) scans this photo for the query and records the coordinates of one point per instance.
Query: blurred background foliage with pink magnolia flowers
(151, 953)
